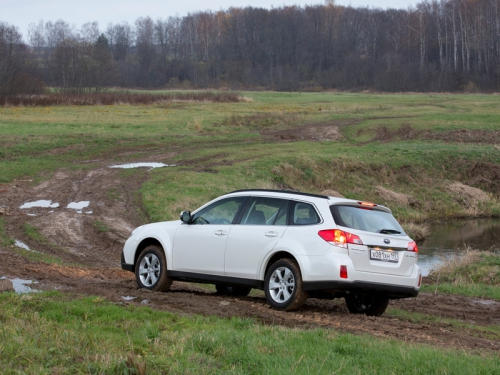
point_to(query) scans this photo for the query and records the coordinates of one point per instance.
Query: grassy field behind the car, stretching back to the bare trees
(415, 145)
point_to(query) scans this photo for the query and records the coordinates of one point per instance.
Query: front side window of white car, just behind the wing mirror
(220, 212)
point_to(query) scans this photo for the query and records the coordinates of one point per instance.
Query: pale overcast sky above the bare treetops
(23, 12)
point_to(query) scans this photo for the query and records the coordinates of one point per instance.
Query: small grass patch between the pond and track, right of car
(476, 275)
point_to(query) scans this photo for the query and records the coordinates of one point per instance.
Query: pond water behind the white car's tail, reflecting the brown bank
(448, 240)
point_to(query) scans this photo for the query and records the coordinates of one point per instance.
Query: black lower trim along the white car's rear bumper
(392, 291)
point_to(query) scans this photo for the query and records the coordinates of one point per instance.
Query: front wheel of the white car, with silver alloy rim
(151, 269)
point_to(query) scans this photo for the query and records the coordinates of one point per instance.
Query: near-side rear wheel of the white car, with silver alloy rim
(283, 285)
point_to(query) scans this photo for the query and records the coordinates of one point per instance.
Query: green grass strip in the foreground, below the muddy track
(48, 333)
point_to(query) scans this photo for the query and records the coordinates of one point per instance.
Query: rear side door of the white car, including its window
(262, 225)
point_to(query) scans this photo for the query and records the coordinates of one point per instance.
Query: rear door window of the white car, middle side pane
(266, 211)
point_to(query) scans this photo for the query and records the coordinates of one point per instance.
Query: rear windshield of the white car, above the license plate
(370, 220)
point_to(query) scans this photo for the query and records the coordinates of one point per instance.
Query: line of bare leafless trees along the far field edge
(438, 45)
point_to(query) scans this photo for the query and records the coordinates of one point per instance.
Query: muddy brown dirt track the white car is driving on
(89, 244)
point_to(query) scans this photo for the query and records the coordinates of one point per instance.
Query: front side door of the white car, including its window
(200, 247)
